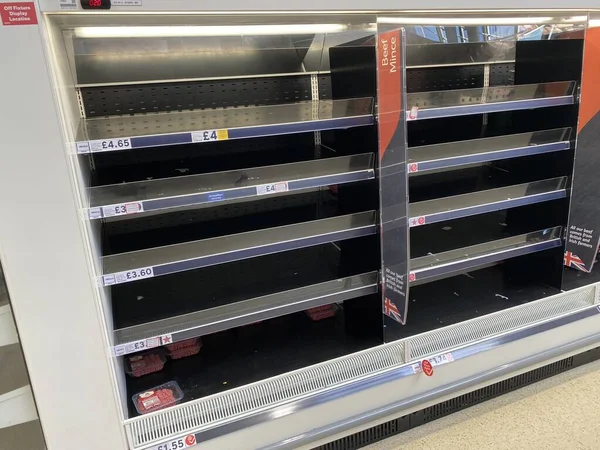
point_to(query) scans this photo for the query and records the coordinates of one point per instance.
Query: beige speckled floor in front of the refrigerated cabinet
(561, 413)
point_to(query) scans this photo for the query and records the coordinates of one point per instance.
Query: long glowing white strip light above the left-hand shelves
(189, 31)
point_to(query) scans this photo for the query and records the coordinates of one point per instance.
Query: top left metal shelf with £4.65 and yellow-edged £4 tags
(153, 130)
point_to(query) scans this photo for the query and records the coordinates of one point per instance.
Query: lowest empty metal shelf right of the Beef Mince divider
(452, 262)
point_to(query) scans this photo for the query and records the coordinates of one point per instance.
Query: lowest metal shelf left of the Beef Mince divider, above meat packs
(175, 329)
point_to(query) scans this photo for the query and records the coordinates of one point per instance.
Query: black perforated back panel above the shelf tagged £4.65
(198, 95)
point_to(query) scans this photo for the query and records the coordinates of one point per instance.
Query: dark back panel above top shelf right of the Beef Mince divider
(458, 77)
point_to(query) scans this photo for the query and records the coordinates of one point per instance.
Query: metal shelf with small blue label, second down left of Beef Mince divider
(130, 198)
